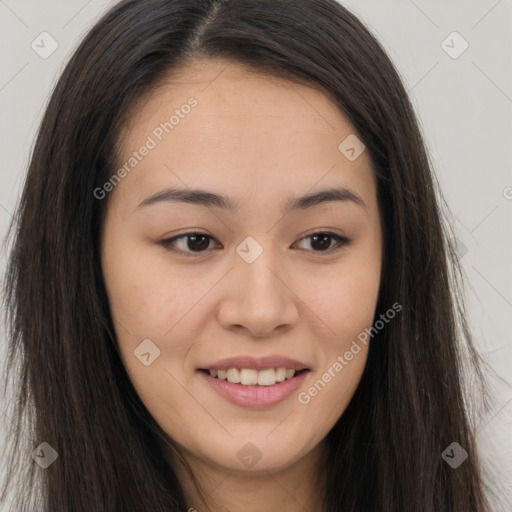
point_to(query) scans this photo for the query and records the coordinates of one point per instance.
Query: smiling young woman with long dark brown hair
(231, 285)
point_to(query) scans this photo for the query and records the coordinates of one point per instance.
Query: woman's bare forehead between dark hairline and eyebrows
(246, 133)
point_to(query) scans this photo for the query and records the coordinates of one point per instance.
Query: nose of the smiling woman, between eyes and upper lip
(258, 299)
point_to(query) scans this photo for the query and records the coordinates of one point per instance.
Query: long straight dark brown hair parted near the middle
(72, 389)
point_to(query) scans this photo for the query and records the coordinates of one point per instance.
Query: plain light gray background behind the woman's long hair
(464, 103)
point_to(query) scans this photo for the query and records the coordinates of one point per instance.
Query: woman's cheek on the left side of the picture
(150, 303)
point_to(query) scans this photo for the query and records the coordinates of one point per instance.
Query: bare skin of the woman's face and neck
(259, 140)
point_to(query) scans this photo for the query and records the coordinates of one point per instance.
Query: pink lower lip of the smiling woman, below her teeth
(255, 396)
